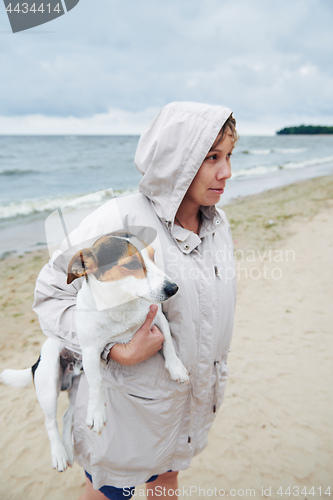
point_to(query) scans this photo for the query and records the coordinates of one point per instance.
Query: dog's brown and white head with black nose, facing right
(122, 262)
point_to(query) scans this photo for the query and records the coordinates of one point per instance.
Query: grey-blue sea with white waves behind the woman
(41, 174)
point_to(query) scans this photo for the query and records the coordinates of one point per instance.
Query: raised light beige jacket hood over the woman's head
(172, 149)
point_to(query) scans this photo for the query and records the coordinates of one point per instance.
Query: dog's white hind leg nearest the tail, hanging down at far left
(48, 383)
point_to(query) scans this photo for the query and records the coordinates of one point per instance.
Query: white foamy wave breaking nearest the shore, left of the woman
(26, 208)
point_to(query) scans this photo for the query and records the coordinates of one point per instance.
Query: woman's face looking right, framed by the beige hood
(209, 183)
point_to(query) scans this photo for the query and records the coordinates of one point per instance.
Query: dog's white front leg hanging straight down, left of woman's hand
(96, 414)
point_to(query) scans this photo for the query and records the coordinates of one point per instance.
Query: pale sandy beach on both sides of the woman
(275, 426)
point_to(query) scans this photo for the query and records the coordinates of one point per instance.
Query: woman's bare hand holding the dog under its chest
(146, 342)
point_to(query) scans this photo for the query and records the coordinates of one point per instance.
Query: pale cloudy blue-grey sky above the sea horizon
(107, 66)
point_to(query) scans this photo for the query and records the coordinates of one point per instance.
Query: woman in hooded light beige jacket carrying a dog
(154, 425)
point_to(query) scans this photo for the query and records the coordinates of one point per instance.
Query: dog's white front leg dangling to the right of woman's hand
(173, 364)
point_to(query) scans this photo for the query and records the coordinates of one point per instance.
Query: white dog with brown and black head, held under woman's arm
(121, 281)
